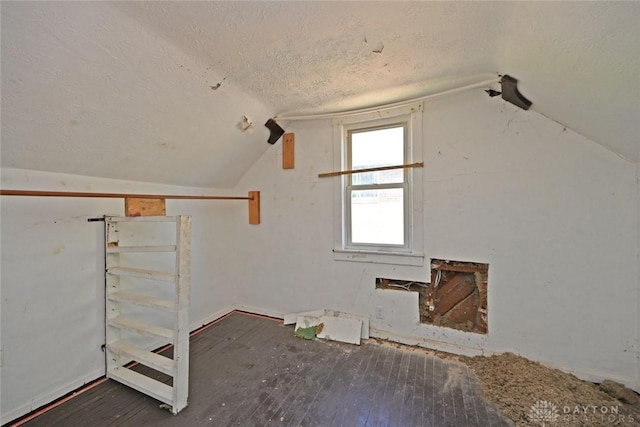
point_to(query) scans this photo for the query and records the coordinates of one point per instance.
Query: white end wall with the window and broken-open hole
(554, 214)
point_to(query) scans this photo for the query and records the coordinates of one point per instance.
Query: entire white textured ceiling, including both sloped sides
(158, 91)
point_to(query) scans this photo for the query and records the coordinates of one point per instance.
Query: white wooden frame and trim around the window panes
(411, 253)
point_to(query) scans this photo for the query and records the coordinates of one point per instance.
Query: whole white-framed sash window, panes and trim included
(379, 213)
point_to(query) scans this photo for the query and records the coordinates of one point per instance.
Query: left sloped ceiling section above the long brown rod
(88, 90)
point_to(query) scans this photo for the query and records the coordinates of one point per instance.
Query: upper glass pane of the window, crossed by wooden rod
(375, 148)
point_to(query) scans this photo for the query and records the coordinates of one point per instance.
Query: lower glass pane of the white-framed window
(377, 216)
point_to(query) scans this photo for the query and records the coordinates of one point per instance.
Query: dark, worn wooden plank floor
(251, 371)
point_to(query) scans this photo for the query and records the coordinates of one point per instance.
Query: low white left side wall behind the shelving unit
(52, 280)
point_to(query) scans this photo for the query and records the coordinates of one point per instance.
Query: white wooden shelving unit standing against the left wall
(123, 329)
